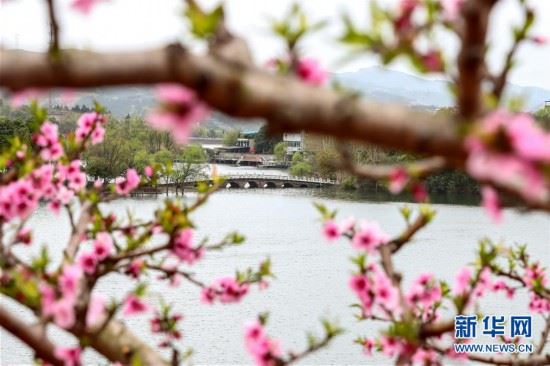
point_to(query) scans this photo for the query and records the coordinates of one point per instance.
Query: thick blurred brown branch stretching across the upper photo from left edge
(242, 91)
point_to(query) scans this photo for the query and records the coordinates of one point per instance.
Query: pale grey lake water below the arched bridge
(311, 274)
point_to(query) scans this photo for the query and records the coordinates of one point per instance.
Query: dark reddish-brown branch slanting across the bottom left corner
(33, 338)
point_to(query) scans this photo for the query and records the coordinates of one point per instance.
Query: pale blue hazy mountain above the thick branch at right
(385, 85)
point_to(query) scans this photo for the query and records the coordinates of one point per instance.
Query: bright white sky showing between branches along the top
(117, 25)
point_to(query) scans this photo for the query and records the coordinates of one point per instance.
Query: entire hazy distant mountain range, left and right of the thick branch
(374, 83)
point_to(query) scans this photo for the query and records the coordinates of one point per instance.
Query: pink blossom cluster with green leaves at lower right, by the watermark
(383, 298)
